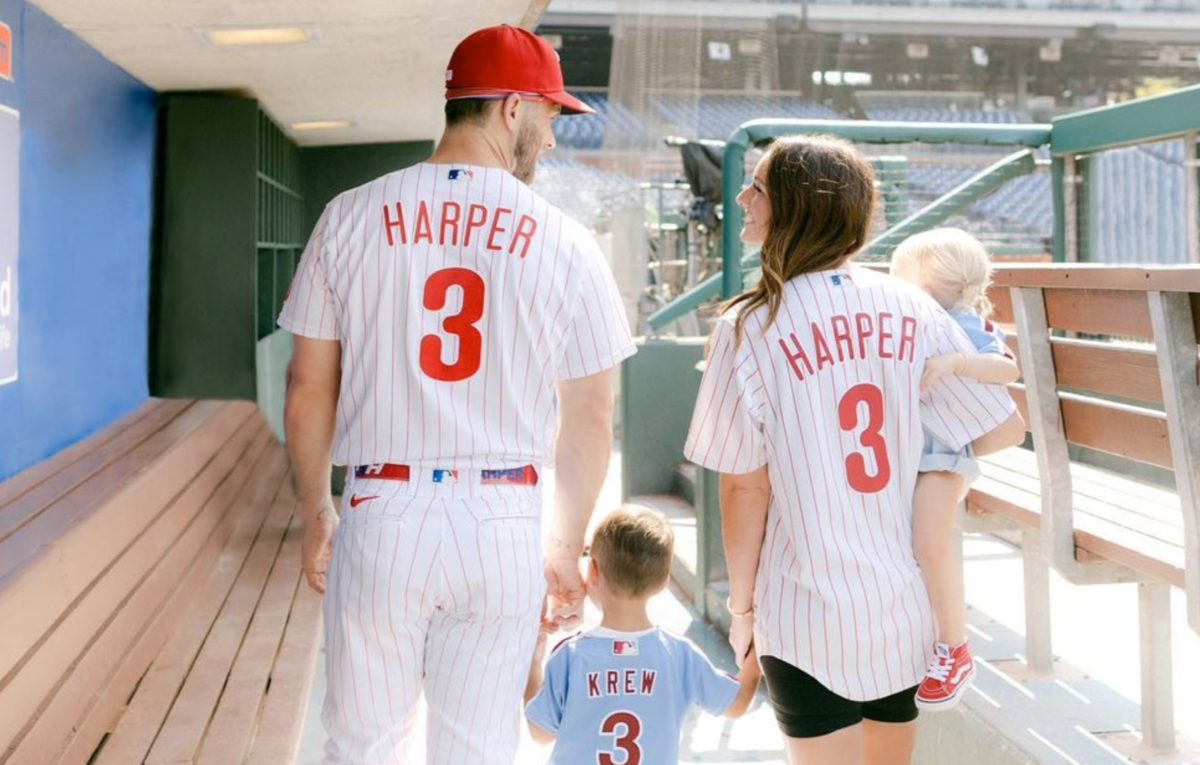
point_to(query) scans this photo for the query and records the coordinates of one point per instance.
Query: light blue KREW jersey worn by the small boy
(620, 698)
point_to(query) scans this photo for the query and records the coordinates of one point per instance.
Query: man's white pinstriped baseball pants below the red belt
(435, 589)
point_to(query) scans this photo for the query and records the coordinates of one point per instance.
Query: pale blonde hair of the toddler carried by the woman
(951, 262)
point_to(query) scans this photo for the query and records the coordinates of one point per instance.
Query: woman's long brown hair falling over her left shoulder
(823, 200)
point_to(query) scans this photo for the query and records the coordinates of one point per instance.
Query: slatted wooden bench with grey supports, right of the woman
(1111, 395)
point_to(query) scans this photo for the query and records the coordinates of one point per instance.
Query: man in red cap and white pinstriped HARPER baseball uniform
(443, 316)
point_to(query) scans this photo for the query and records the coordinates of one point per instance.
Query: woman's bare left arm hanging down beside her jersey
(745, 499)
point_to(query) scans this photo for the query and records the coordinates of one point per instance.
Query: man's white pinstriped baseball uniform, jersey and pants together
(436, 589)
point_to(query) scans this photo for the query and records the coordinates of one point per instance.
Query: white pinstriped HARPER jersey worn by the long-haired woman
(839, 594)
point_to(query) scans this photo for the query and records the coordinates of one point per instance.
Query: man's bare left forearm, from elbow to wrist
(310, 424)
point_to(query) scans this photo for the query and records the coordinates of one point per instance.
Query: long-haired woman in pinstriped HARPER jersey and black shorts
(811, 411)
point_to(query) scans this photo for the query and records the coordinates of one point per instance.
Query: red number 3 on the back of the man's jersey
(461, 326)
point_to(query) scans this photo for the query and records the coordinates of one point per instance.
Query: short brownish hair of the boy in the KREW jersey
(633, 549)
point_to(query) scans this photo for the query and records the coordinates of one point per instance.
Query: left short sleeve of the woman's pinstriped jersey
(727, 432)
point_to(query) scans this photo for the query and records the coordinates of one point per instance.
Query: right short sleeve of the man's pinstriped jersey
(598, 338)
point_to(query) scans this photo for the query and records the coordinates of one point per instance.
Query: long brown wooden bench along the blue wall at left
(151, 595)
